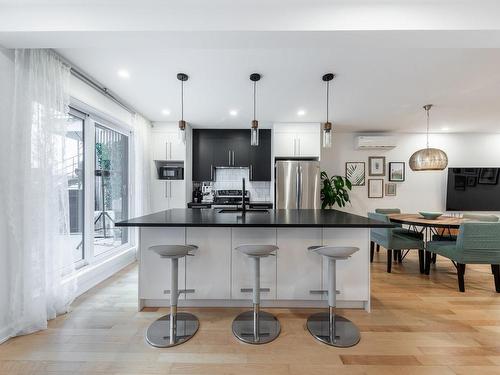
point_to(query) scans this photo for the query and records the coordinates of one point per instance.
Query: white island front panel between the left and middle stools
(209, 270)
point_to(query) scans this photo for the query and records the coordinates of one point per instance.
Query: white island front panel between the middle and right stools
(299, 270)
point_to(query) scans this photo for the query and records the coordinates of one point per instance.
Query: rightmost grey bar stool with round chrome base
(328, 327)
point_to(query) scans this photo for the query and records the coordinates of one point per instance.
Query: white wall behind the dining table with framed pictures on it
(421, 190)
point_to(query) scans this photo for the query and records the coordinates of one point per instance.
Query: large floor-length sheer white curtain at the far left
(34, 189)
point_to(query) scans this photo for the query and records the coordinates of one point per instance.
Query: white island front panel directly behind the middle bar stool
(242, 267)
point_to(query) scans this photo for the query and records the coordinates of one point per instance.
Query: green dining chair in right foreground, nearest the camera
(477, 243)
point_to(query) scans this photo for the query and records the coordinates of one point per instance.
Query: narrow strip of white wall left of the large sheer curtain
(6, 94)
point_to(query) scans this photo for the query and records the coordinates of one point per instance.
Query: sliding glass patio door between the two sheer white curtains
(96, 163)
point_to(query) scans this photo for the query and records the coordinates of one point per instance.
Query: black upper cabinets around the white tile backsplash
(230, 148)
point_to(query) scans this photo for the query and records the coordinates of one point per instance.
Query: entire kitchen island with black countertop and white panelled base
(221, 276)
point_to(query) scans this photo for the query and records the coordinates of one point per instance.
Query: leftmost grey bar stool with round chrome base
(174, 328)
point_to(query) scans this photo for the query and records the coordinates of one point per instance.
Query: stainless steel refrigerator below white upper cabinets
(297, 184)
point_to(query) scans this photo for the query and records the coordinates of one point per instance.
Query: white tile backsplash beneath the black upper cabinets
(230, 178)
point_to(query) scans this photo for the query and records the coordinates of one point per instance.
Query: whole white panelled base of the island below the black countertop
(218, 272)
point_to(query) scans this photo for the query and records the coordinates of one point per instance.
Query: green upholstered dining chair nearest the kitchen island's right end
(395, 239)
